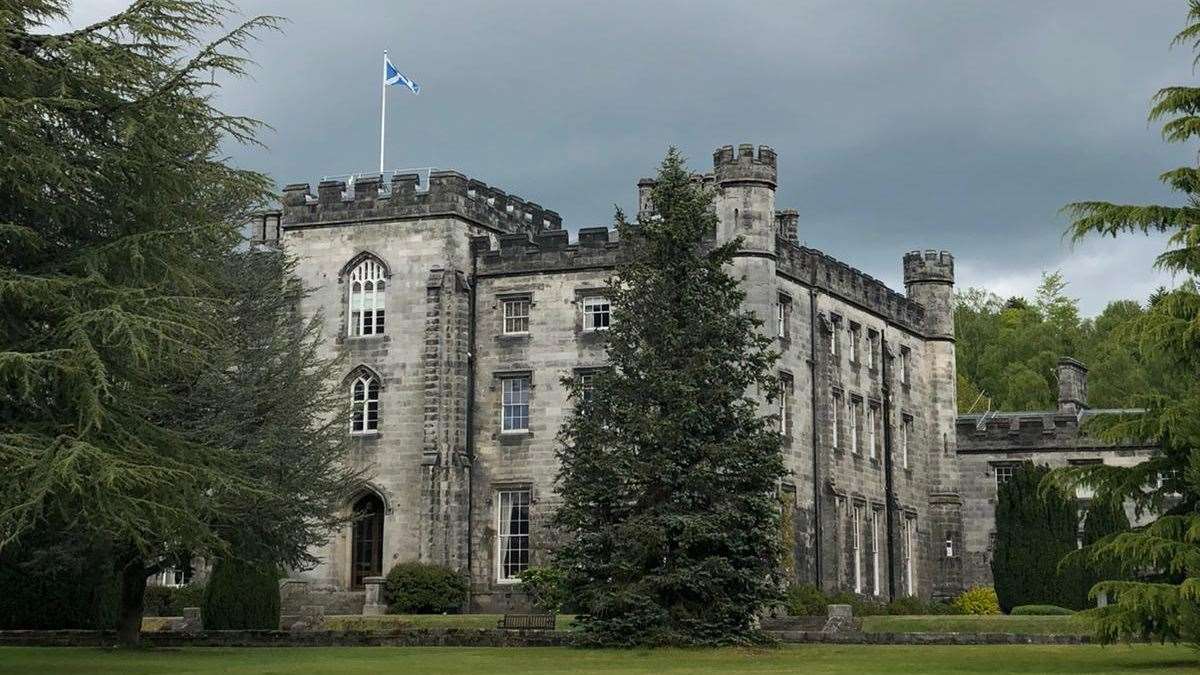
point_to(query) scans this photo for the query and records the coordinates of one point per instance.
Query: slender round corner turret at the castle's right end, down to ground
(929, 280)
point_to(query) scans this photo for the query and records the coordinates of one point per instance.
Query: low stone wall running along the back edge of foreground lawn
(478, 638)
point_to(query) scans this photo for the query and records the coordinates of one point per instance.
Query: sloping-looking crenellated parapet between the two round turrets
(838, 279)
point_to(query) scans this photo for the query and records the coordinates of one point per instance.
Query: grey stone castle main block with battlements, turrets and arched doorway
(459, 308)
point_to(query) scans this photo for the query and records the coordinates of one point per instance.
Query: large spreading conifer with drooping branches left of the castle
(134, 408)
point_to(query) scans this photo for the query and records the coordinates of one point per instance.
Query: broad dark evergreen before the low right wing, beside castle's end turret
(1035, 531)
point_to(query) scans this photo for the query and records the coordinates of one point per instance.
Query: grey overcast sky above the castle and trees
(899, 126)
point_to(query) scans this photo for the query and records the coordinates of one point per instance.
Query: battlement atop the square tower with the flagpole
(448, 193)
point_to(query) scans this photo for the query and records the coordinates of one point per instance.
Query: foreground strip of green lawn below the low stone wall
(434, 661)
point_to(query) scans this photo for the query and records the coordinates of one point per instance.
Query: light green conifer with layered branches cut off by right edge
(1165, 602)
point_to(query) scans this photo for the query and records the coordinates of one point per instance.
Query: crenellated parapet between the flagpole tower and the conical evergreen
(597, 248)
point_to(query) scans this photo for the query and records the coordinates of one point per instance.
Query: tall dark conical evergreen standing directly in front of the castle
(669, 468)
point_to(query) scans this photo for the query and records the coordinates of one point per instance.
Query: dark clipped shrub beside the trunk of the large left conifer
(242, 596)
